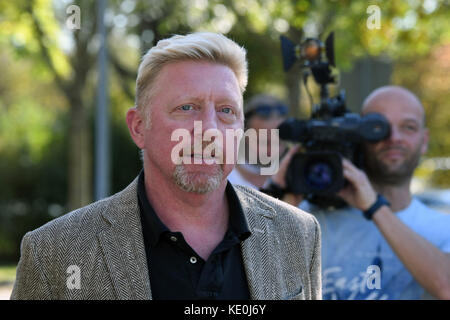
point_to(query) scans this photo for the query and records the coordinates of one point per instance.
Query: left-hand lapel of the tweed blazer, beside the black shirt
(123, 246)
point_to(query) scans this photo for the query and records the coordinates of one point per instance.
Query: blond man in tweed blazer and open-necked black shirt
(180, 230)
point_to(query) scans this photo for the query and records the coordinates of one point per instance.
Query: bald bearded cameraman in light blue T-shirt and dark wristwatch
(399, 248)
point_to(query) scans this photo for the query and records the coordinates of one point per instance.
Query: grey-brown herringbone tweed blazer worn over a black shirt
(103, 245)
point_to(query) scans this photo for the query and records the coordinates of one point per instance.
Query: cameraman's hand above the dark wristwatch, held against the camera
(359, 193)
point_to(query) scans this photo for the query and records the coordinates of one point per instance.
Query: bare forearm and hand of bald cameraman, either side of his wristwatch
(428, 265)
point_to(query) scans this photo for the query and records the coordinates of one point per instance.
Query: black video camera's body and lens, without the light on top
(317, 172)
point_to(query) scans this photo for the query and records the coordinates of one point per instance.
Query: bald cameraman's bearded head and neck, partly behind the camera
(390, 164)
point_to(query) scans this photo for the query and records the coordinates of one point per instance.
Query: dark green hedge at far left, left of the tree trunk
(31, 192)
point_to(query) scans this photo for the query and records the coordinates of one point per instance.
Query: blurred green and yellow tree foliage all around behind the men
(35, 101)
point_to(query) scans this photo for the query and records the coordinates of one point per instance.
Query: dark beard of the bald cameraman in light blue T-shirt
(385, 174)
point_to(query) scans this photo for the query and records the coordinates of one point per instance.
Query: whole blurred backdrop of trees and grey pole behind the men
(63, 69)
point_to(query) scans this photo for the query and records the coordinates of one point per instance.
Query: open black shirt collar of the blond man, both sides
(237, 221)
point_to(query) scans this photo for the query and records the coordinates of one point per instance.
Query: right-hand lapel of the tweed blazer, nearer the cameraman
(259, 250)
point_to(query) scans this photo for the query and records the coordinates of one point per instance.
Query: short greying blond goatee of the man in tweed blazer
(197, 182)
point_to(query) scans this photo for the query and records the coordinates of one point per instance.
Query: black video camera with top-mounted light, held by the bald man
(332, 132)
